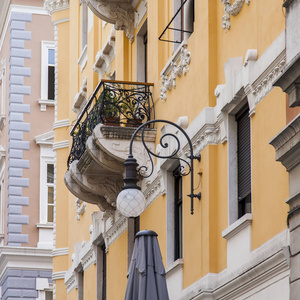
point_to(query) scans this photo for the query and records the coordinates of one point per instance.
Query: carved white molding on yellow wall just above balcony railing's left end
(105, 56)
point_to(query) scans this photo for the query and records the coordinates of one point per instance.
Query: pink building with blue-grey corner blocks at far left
(27, 159)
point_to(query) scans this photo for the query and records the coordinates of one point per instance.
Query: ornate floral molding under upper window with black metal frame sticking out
(175, 67)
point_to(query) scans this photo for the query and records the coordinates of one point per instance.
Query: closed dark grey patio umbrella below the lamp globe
(146, 275)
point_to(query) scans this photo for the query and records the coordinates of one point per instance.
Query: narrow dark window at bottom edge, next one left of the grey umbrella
(101, 272)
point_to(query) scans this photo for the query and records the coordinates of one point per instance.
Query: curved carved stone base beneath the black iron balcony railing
(96, 177)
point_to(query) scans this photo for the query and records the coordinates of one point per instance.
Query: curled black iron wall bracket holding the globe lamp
(186, 170)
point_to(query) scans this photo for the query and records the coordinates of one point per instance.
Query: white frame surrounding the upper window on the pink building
(44, 101)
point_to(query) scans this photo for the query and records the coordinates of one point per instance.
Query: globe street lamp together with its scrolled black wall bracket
(131, 201)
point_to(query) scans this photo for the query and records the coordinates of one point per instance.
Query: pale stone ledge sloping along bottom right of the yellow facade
(232, 283)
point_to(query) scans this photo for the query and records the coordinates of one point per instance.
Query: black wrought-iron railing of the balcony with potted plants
(113, 103)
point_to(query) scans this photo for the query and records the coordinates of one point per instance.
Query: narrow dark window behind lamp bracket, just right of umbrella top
(177, 213)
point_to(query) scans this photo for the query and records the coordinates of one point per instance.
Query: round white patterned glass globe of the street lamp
(131, 202)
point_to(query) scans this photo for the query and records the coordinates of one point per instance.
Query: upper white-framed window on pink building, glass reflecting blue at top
(47, 75)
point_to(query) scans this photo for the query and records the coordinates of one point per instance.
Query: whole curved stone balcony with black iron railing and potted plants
(101, 137)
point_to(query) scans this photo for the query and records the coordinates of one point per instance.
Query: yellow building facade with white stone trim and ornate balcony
(214, 77)
